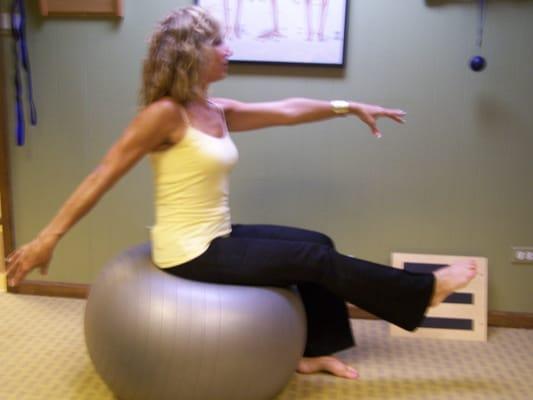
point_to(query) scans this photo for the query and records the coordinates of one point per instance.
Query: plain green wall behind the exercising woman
(456, 179)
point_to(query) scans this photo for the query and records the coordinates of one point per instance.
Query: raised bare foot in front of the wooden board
(451, 278)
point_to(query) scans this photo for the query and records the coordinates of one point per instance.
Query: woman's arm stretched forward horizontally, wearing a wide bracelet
(242, 116)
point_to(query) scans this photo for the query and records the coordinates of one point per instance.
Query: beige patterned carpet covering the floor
(43, 357)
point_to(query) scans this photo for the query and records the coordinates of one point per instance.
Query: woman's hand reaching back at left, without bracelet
(35, 254)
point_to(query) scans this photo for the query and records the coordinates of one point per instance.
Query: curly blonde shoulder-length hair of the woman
(176, 55)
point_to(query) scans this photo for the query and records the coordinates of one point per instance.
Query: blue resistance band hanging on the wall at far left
(20, 53)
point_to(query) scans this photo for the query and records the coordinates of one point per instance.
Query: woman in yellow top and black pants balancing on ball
(185, 134)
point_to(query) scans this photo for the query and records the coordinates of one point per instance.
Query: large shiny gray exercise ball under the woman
(152, 335)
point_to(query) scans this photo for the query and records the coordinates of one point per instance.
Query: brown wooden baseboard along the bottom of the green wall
(81, 291)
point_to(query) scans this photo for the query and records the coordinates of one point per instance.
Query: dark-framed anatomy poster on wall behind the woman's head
(282, 31)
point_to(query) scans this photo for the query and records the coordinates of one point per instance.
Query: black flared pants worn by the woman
(266, 255)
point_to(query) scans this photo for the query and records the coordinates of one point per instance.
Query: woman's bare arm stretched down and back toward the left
(157, 124)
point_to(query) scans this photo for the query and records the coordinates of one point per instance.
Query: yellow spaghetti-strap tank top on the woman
(191, 196)
